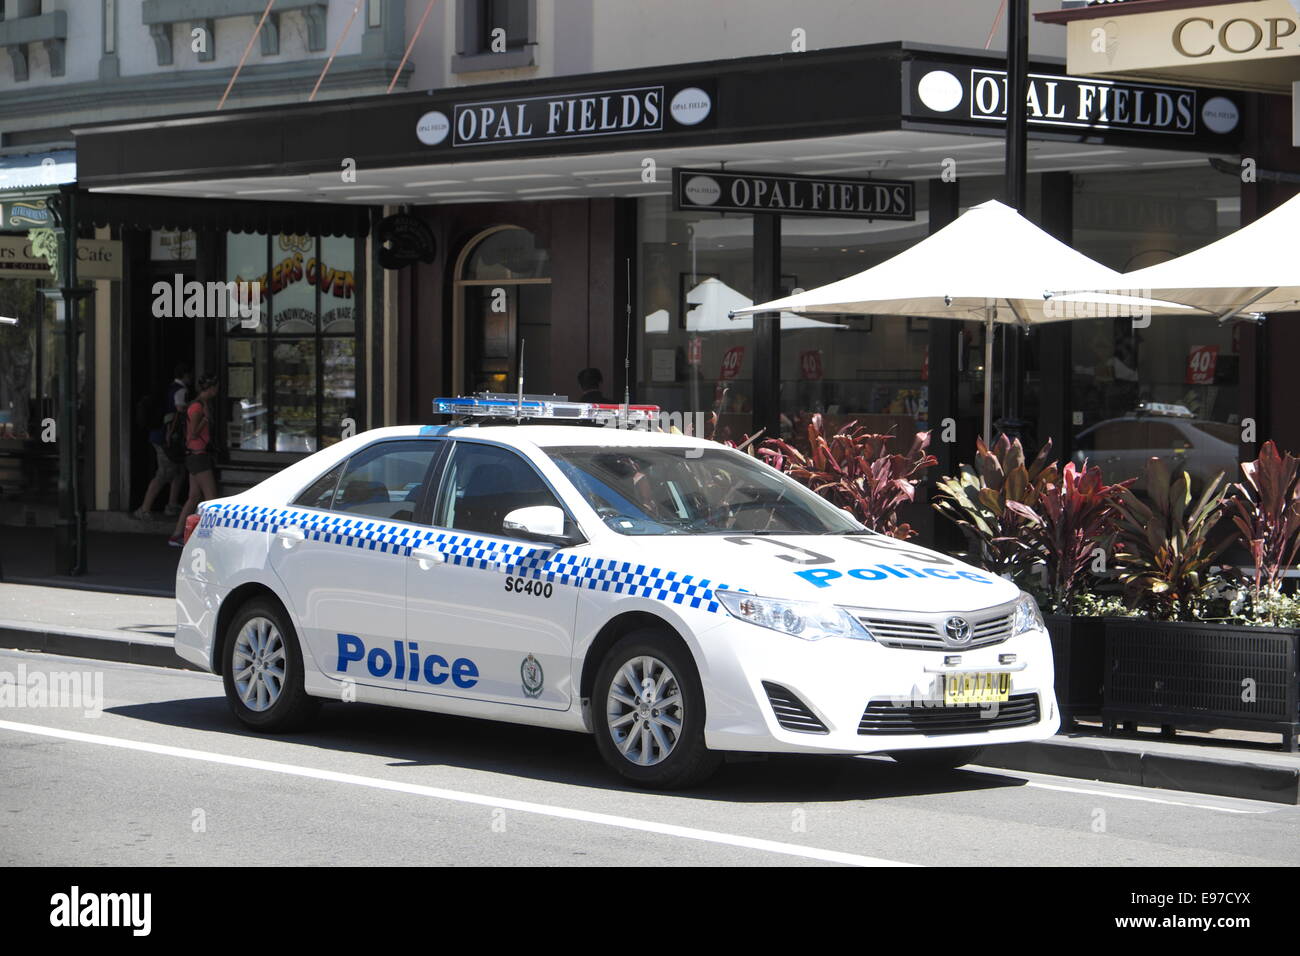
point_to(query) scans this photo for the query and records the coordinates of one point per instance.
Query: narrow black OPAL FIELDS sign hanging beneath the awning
(794, 196)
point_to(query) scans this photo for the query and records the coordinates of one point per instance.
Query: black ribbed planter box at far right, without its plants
(1194, 677)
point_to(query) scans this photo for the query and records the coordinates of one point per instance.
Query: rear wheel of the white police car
(263, 671)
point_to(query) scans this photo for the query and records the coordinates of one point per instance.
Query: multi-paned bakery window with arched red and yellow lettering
(291, 378)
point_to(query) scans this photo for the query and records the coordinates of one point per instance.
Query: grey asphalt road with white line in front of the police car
(166, 776)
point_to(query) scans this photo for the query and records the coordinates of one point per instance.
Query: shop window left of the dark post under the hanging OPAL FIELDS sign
(692, 357)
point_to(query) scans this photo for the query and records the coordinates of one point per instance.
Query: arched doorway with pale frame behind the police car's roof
(502, 300)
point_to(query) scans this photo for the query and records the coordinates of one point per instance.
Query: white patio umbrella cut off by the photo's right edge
(1254, 270)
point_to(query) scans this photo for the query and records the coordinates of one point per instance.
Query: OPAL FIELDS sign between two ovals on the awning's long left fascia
(567, 116)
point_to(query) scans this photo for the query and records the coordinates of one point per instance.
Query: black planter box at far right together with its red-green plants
(1190, 663)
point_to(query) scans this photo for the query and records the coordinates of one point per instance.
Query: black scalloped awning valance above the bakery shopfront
(223, 215)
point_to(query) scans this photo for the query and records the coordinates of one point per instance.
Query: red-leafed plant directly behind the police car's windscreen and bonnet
(855, 470)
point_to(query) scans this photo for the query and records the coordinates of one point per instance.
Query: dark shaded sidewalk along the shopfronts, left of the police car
(122, 563)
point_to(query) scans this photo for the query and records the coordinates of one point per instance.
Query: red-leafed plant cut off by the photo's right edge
(1267, 513)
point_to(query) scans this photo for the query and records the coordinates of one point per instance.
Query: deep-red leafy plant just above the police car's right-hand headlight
(1074, 516)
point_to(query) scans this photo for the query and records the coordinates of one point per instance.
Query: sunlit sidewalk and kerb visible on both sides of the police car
(140, 630)
